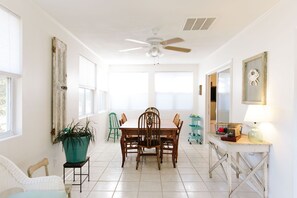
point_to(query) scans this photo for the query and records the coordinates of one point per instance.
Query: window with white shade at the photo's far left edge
(10, 73)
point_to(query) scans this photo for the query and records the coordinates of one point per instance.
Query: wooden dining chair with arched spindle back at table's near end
(149, 136)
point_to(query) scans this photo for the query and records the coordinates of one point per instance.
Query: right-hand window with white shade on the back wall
(174, 90)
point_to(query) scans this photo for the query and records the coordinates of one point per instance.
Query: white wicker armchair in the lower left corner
(12, 180)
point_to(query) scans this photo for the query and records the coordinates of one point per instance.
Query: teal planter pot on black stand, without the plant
(76, 150)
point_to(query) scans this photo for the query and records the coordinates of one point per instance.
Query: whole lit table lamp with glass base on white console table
(255, 114)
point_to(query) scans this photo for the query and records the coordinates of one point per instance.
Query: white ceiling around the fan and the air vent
(103, 25)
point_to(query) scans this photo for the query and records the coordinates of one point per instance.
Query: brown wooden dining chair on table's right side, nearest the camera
(167, 144)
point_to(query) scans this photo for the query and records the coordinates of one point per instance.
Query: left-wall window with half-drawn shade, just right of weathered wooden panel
(87, 86)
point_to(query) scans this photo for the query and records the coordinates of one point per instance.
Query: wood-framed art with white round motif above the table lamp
(254, 72)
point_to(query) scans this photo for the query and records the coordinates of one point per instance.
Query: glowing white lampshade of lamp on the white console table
(256, 113)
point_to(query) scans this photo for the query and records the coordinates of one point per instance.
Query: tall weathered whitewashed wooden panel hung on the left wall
(59, 86)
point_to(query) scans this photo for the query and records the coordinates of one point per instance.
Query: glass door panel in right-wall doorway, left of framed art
(223, 95)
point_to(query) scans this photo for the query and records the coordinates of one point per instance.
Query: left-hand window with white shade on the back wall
(128, 91)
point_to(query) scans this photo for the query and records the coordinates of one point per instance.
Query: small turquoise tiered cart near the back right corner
(195, 134)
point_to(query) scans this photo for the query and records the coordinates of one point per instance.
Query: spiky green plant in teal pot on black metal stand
(75, 138)
